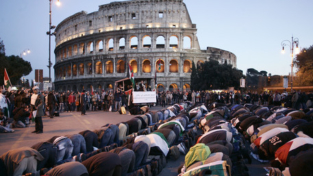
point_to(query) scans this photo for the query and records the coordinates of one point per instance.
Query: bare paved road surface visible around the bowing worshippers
(73, 122)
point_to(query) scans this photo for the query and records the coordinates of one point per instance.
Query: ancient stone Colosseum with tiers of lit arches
(150, 35)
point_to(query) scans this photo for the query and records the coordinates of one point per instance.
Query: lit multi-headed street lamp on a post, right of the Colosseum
(294, 41)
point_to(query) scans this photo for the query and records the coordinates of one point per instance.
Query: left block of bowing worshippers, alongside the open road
(136, 147)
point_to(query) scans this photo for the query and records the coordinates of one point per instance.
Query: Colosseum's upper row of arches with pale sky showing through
(121, 43)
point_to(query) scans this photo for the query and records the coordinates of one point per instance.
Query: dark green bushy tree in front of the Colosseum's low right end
(212, 75)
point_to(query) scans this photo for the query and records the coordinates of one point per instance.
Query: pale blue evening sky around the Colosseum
(252, 30)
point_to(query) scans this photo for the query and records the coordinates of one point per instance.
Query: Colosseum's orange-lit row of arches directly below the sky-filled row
(100, 67)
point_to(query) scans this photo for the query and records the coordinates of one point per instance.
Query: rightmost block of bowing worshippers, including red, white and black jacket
(281, 136)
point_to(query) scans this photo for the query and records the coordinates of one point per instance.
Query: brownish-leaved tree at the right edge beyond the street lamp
(304, 62)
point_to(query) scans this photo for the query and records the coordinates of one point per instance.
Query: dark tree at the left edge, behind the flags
(16, 66)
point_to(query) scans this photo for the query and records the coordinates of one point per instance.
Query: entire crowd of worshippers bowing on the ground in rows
(214, 140)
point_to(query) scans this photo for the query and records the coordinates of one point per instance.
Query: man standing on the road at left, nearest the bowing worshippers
(37, 101)
